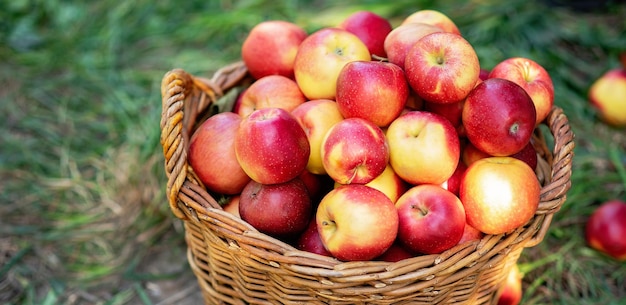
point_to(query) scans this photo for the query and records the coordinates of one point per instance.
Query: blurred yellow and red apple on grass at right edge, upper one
(608, 95)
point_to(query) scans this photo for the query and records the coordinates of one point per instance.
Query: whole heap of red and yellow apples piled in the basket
(371, 142)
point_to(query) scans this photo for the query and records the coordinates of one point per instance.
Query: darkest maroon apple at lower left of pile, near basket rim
(280, 210)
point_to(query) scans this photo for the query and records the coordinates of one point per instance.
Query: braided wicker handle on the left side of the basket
(184, 98)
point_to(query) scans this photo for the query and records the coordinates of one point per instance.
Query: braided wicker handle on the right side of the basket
(553, 194)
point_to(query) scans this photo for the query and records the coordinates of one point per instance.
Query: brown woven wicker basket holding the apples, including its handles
(236, 264)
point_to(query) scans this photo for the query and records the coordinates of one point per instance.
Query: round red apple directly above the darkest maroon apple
(271, 147)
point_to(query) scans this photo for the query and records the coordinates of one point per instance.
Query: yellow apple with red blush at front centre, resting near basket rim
(356, 222)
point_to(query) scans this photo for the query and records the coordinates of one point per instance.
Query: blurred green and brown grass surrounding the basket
(83, 216)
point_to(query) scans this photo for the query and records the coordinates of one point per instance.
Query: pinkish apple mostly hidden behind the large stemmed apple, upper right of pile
(402, 38)
